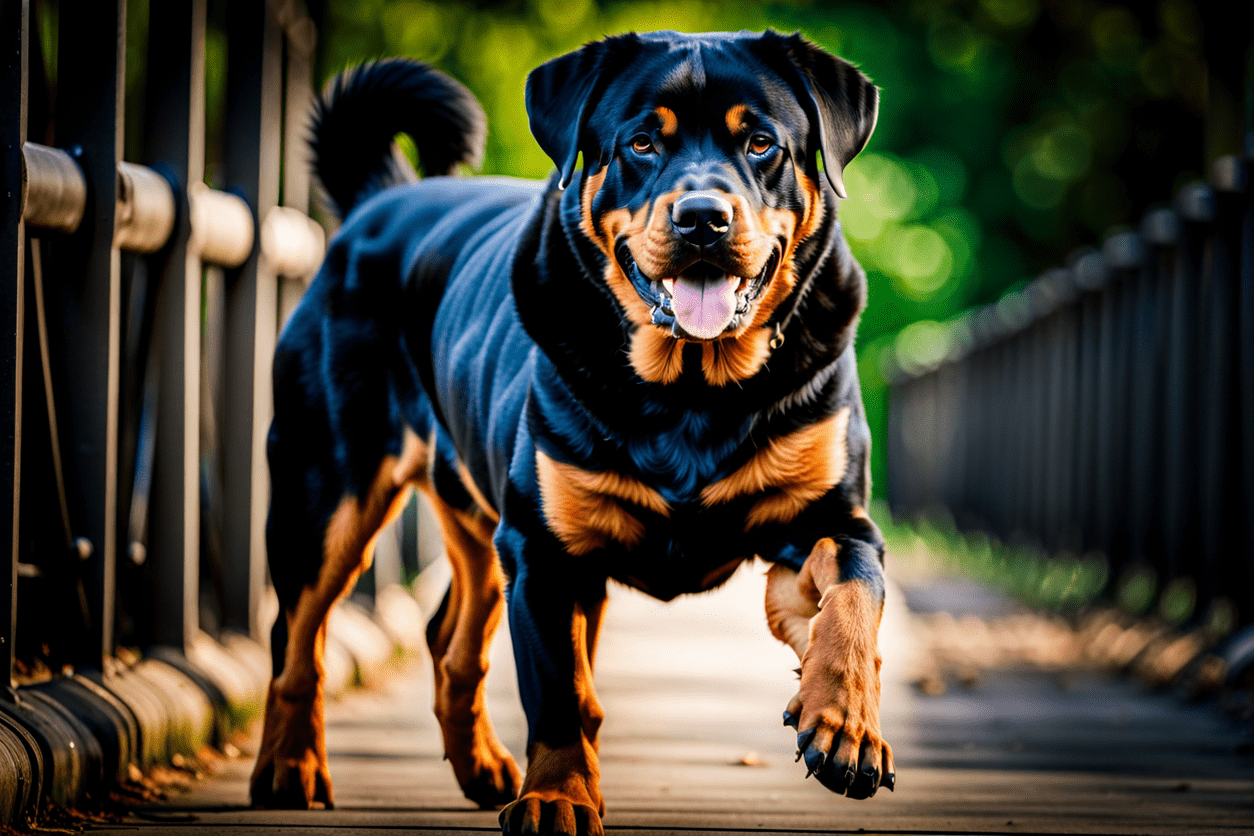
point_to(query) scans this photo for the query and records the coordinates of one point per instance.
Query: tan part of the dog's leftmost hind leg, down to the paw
(292, 769)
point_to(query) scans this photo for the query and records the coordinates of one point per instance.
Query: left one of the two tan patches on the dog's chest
(585, 509)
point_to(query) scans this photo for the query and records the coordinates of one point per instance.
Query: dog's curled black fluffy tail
(366, 107)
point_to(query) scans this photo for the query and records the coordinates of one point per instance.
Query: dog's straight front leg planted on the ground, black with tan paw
(554, 621)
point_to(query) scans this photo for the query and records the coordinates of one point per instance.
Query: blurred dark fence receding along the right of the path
(1108, 409)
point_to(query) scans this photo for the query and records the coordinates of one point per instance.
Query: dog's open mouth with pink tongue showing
(702, 303)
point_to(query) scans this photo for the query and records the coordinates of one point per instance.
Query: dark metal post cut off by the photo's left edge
(14, 18)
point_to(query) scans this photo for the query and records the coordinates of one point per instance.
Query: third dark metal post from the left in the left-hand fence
(175, 138)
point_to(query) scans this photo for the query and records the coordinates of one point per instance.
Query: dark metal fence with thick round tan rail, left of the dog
(140, 310)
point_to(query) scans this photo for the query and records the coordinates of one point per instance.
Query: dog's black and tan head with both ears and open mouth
(700, 166)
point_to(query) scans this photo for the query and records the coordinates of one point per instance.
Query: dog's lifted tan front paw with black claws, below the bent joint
(837, 710)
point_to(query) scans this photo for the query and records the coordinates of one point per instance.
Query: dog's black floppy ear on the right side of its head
(841, 102)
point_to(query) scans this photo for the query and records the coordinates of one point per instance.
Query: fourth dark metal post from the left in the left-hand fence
(251, 169)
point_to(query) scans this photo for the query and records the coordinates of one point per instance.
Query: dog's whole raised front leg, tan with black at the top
(830, 615)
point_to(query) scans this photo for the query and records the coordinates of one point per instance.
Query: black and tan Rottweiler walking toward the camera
(641, 370)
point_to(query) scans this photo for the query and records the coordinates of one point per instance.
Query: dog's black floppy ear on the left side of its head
(564, 92)
